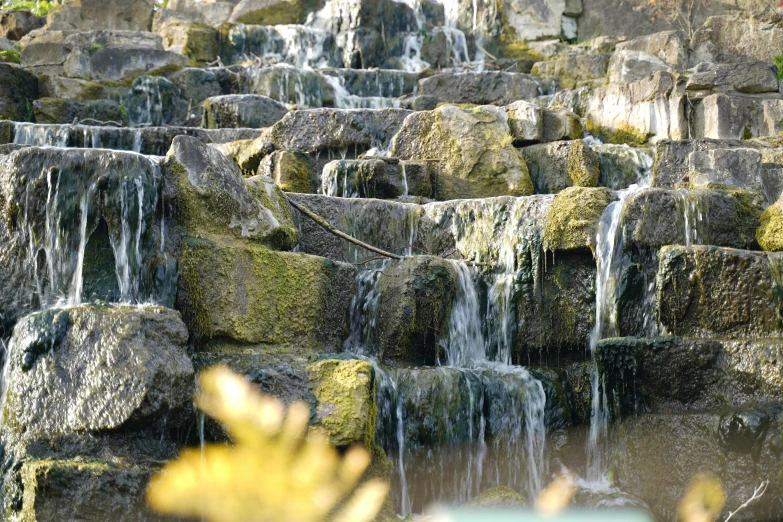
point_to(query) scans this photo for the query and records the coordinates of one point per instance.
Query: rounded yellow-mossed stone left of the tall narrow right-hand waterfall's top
(572, 220)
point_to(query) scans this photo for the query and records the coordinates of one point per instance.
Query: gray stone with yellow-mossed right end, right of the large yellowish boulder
(556, 166)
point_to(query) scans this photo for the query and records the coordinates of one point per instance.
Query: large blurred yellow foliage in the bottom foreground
(278, 470)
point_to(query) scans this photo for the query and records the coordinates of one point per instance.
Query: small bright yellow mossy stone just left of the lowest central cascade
(345, 392)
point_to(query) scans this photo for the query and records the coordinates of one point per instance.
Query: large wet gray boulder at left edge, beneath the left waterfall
(96, 368)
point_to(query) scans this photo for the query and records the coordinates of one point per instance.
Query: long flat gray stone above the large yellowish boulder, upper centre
(497, 88)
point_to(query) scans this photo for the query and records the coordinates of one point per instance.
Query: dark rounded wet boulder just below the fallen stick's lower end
(416, 298)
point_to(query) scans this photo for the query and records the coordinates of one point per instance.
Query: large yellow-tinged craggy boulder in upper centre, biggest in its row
(470, 144)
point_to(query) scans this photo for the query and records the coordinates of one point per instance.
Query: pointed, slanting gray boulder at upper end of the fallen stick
(212, 197)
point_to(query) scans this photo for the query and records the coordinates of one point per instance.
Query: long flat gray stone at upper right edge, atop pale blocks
(747, 77)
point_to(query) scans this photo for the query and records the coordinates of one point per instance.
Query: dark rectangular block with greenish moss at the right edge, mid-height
(691, 280)
